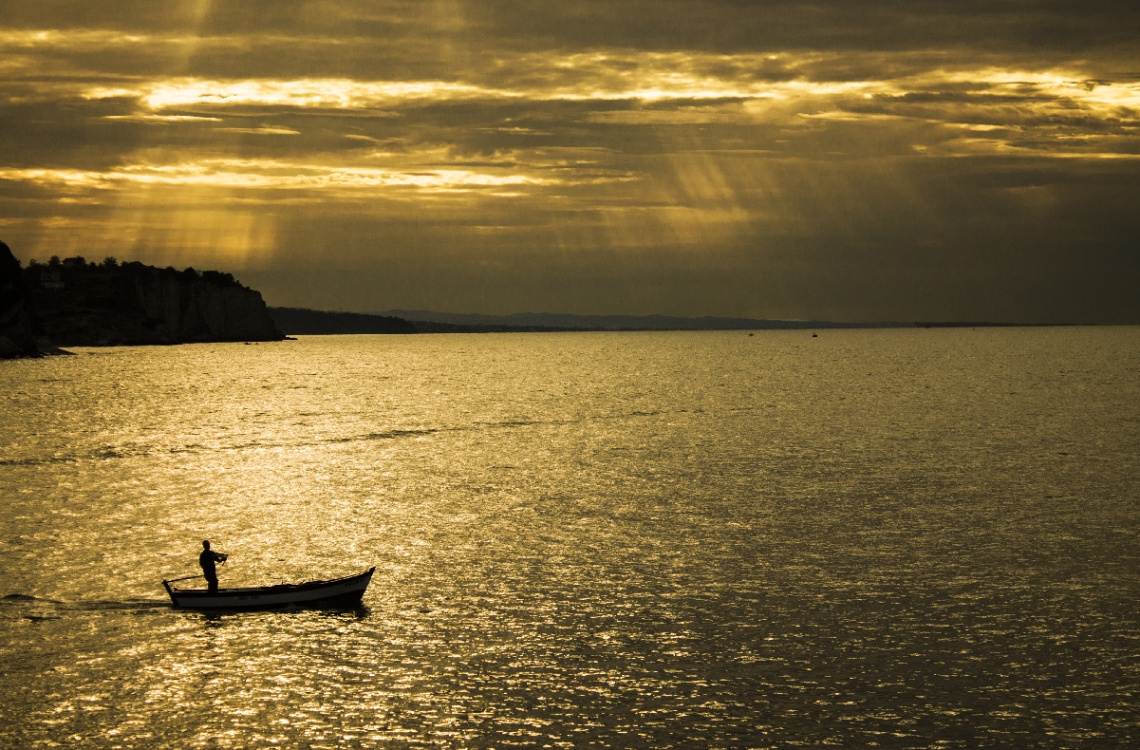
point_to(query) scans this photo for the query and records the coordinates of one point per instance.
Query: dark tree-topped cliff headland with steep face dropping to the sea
(82, 305)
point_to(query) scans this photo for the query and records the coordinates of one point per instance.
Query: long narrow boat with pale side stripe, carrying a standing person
(338, 592)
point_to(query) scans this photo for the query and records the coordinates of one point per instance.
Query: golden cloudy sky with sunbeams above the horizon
(841, 160)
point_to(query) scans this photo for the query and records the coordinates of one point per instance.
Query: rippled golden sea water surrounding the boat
(873, 539)
